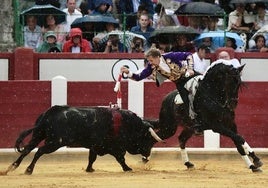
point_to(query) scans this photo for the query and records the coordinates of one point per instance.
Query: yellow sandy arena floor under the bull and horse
(164, 170)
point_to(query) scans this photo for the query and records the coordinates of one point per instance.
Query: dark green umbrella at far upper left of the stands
(40, 11)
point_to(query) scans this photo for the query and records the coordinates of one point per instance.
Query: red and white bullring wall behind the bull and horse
(26, 91)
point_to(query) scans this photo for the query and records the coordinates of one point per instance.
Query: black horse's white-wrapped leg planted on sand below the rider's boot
(183, 138)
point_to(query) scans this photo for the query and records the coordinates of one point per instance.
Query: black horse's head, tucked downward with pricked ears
(226, 81)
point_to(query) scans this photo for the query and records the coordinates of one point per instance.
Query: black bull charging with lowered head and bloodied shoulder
(102, 130)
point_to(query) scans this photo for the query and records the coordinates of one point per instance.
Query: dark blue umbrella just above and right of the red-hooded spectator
(99, 21)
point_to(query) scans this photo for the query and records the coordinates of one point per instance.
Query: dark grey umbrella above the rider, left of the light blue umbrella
(168, 34)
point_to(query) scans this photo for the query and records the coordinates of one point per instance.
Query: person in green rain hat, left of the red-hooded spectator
(50, 43)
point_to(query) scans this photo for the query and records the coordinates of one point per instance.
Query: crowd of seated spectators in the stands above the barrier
(143, 17)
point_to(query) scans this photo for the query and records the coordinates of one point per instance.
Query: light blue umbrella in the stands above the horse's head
(219, 38)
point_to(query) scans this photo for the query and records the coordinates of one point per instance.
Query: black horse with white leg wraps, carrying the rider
(214, 104)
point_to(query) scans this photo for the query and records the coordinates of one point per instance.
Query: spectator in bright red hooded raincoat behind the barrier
(76, 43)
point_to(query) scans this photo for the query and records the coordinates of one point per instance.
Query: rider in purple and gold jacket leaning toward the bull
(175, 66)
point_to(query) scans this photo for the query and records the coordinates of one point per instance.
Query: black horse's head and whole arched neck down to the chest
(219, 87)
